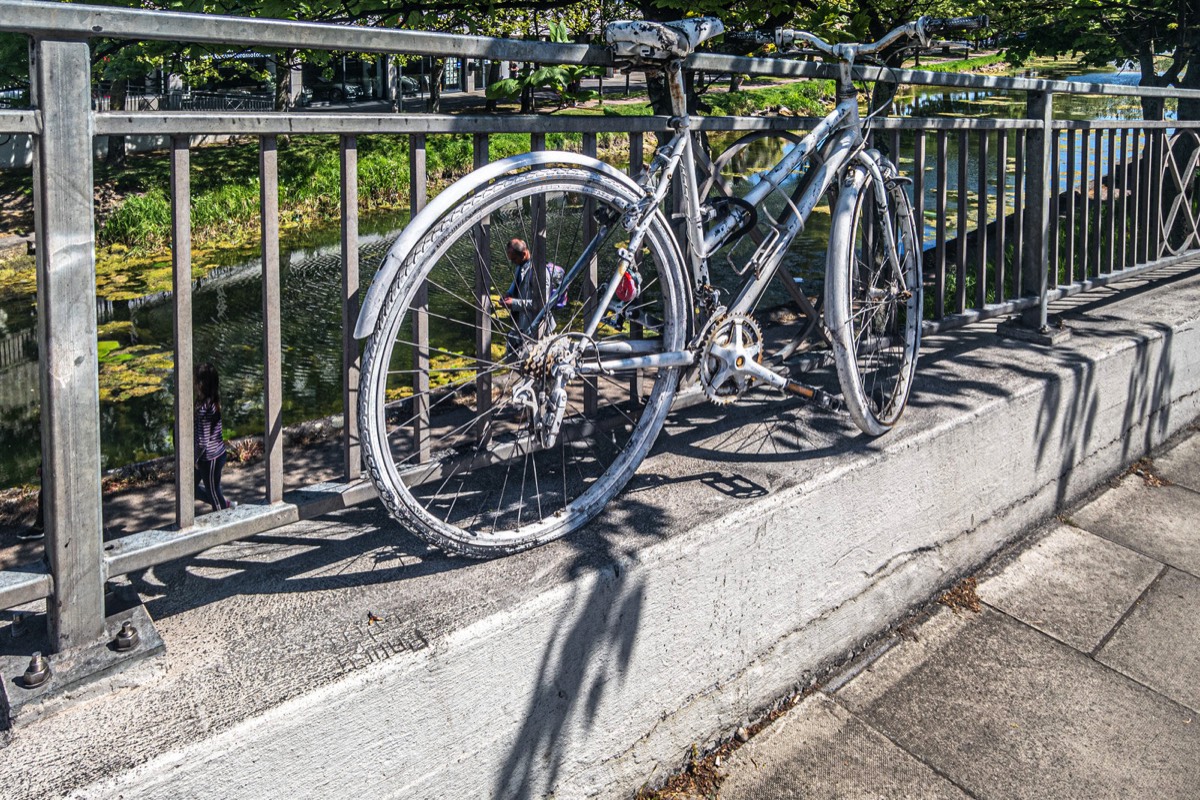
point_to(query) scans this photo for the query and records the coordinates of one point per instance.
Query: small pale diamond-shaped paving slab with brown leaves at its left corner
(1071, 585)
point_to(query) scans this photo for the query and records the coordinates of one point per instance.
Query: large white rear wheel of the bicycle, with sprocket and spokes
(482, 428)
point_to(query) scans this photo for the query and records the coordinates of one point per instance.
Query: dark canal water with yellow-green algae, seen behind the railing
(137, 334)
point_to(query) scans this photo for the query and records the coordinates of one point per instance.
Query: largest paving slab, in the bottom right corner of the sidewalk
(1006, 712)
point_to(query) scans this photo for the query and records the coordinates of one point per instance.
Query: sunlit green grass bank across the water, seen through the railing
(226, 183)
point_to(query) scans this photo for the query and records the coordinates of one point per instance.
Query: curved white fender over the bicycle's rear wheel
(445, 202)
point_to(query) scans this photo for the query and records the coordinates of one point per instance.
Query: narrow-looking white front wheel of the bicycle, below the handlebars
(874, 298)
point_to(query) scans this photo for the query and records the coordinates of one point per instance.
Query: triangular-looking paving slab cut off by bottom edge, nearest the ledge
(820, 750)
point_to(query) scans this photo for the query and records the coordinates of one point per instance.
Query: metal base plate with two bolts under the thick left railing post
(127, 622)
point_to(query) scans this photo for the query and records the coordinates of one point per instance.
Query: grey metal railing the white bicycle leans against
(1069, 231)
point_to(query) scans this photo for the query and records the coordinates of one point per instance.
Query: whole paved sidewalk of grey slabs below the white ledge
(1078, 677)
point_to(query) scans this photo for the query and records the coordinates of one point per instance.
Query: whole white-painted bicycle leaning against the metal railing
(494, 423)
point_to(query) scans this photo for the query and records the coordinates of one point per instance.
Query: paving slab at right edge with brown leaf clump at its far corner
(1162, 522)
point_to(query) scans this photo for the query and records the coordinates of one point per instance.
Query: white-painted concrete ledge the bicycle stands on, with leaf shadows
(754, 550)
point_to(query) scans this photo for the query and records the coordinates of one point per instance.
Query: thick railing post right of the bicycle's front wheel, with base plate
(1036, 226)
